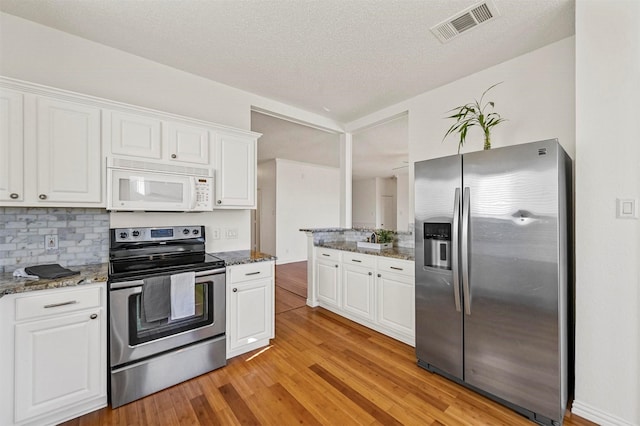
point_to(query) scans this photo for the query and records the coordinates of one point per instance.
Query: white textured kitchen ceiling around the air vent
(353, 57)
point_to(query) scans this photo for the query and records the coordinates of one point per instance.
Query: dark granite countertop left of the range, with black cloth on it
(88, 274)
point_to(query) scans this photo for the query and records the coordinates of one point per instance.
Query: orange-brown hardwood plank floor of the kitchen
(321, 369)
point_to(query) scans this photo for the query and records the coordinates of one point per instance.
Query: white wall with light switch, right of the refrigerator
(607, 249)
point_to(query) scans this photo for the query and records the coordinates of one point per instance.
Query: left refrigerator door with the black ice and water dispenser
(438, 302)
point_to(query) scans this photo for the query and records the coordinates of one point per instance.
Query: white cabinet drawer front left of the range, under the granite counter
(57, 302)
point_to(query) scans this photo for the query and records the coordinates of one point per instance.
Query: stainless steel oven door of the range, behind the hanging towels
(132, 338)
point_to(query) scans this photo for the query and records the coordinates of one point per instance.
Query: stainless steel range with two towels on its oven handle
(167, 310)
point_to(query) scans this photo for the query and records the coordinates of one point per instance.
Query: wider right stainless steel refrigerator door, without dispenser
(514, 309)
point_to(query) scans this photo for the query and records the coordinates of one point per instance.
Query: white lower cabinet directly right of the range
(250, 307)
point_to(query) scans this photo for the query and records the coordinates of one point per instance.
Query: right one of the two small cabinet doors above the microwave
(186, 143)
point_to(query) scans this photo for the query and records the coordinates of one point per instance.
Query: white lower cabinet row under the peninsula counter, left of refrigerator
(375, 291)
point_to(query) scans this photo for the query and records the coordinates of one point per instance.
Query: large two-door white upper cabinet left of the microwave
(50, 152)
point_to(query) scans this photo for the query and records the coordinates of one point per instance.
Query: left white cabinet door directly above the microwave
(135, 135)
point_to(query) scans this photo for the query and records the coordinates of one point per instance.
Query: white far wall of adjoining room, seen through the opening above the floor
(308, 196)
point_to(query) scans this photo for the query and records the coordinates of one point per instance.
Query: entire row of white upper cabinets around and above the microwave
(53, 145)
